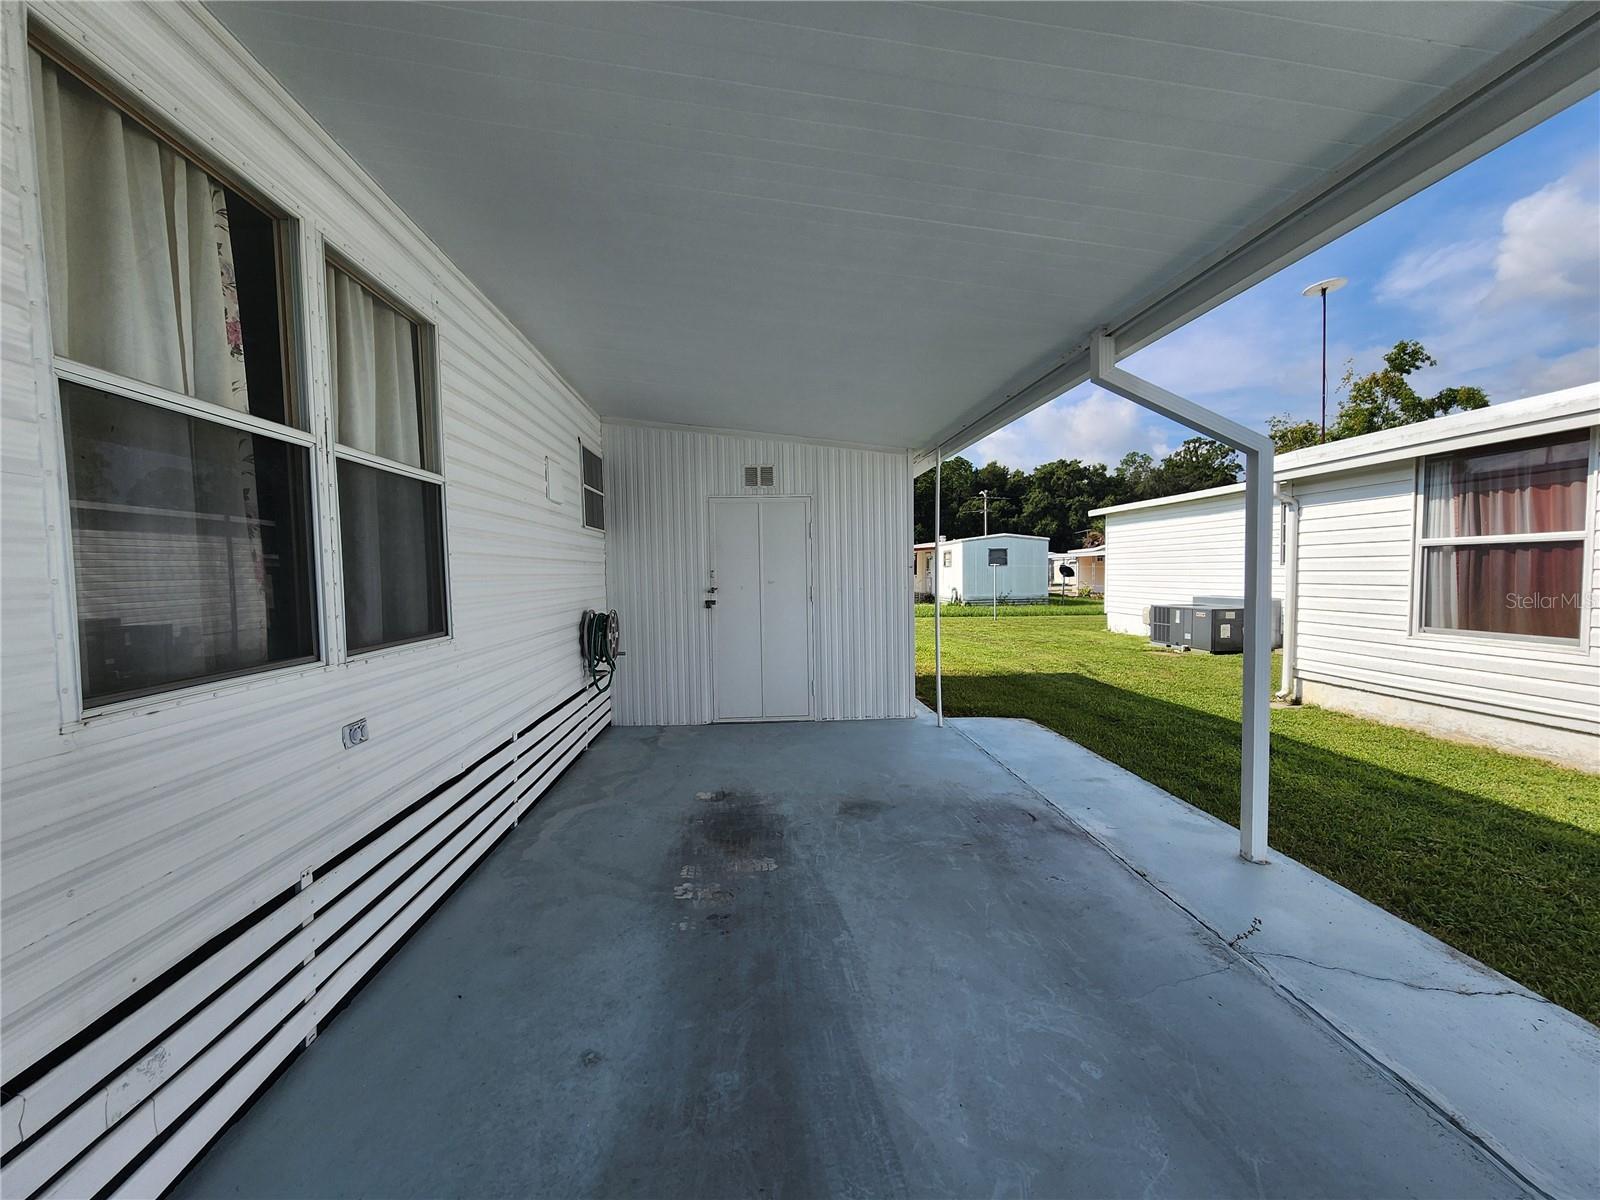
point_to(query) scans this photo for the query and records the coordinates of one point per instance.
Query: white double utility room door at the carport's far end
(761, 628)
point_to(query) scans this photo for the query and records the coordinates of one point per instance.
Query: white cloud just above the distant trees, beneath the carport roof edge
(1087, 425)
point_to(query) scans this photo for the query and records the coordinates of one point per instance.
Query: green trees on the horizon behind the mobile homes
(1055, 500)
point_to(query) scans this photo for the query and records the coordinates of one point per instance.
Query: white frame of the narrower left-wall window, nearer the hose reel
(433, 423)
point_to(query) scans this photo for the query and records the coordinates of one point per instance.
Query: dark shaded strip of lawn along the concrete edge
(1510, 887)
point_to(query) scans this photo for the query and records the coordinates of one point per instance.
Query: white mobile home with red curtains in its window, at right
(1441, 575)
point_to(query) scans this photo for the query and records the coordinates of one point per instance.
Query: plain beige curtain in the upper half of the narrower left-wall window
(374, 374)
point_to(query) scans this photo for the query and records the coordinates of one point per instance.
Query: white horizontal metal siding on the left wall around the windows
(132, 839)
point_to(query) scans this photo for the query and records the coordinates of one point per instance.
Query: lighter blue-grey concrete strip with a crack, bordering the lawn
(1518, 1071)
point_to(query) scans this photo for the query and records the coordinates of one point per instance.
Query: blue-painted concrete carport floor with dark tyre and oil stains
(814, 961)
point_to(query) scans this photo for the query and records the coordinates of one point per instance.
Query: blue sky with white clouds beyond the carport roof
(1495, 270)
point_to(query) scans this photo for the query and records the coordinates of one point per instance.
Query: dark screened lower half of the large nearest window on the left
(191, 546)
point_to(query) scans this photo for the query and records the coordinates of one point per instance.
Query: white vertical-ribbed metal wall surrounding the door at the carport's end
(660, 484)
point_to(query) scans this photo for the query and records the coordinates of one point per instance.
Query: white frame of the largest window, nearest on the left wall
(300, 404)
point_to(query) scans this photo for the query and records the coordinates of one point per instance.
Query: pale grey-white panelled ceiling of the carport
(858, 222)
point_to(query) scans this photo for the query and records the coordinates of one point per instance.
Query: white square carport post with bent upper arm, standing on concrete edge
(1258, 574)
